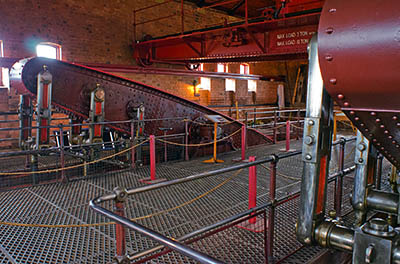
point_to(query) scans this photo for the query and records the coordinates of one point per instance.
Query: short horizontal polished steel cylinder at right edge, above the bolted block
(383, 201)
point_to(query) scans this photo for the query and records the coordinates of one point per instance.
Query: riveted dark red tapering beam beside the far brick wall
(83, 93)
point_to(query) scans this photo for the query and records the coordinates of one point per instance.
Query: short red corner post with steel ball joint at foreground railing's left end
(120, 241)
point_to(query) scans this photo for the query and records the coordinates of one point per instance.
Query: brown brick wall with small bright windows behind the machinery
(102, 32)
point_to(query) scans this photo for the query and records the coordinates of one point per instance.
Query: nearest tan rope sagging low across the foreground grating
(132, 219)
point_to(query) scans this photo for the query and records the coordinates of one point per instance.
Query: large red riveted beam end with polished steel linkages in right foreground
(356, 60)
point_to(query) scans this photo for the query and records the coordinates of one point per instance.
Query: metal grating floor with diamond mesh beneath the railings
(68, 204)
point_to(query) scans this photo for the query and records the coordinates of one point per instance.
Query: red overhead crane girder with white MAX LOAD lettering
(266, 37)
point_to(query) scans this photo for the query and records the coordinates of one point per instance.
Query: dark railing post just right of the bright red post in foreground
(271, 214)
